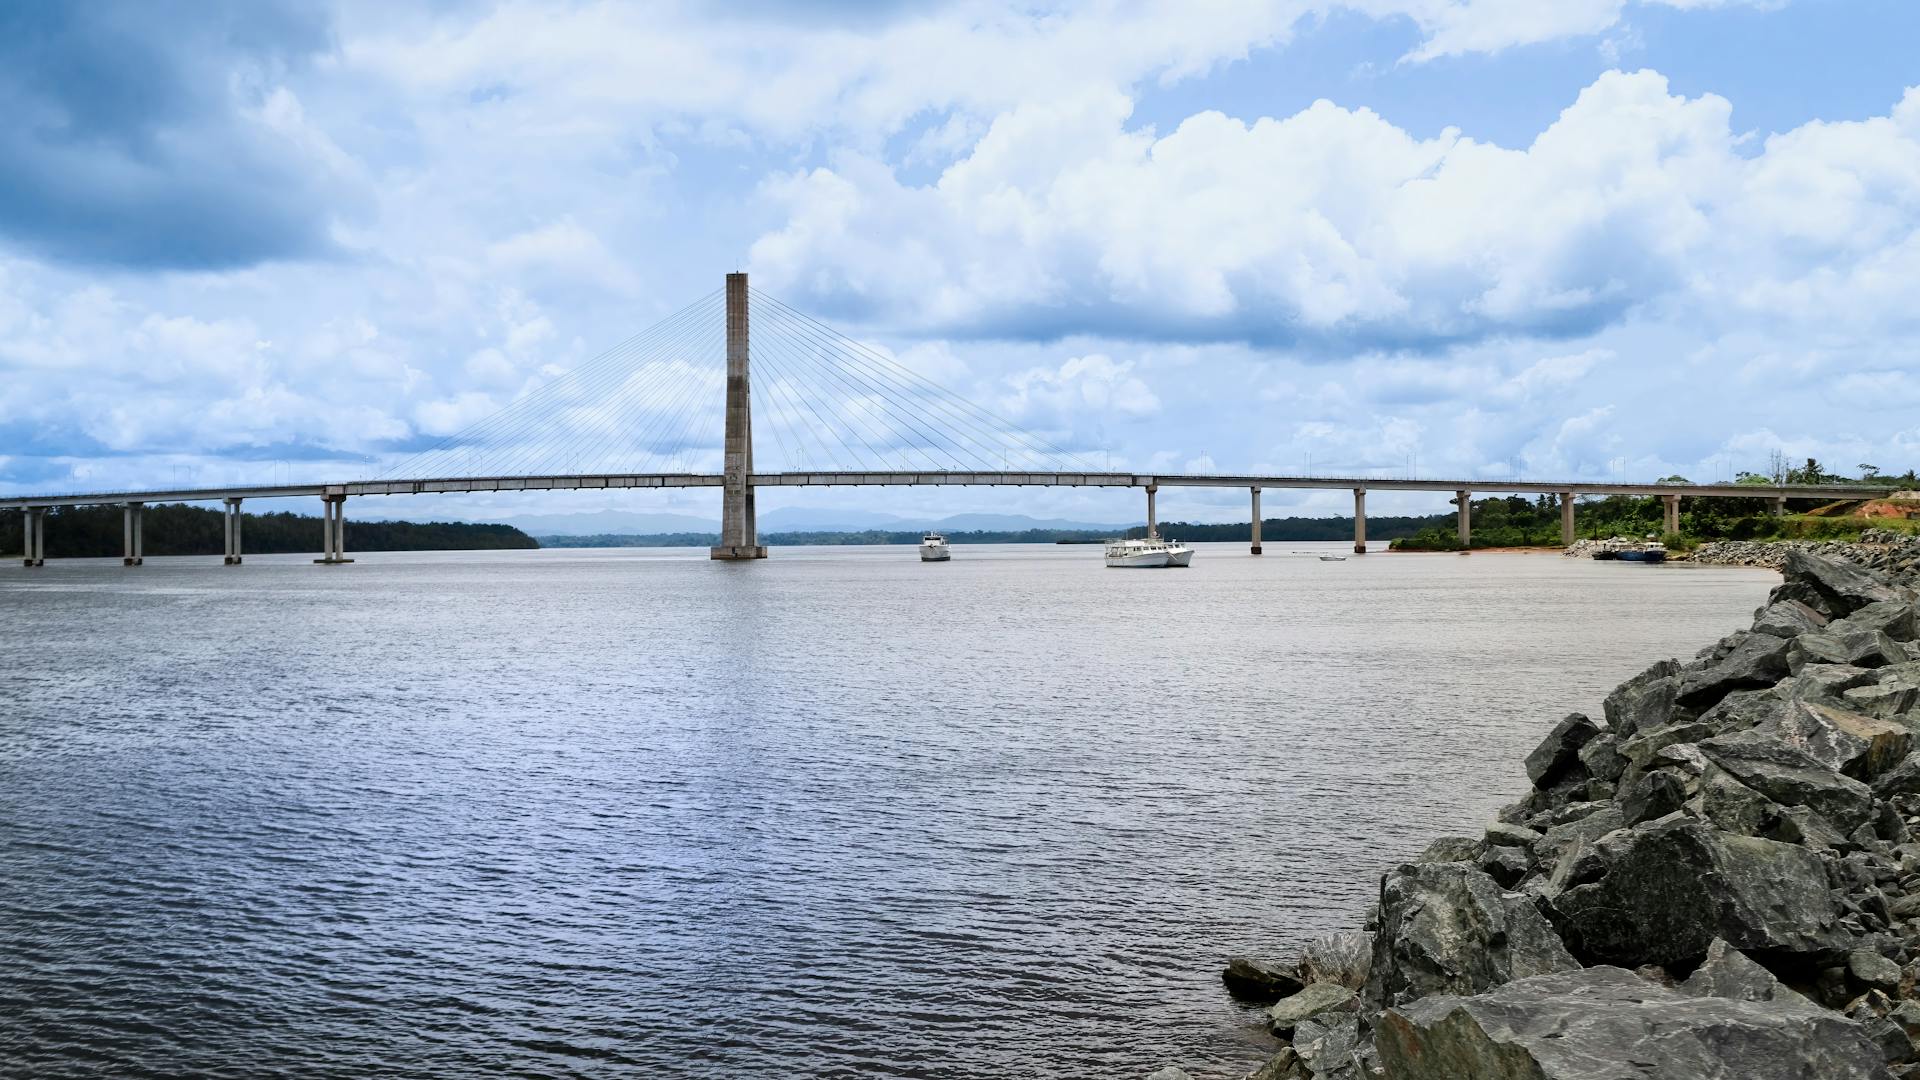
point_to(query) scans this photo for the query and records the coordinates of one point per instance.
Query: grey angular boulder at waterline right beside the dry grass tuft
(1451, 929)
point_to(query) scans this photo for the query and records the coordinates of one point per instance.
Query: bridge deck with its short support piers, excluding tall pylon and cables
(337, 495)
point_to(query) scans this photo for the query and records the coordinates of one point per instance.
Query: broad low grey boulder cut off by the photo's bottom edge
(1608, 1023)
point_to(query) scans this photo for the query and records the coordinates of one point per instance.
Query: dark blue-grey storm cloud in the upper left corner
(162, 135)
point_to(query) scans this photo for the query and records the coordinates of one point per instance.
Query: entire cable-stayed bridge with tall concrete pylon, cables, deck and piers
(683, 405)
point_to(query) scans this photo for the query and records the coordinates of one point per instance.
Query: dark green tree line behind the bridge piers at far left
(95, 531)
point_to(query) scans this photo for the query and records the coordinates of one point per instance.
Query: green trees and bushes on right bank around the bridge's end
(1516, 522)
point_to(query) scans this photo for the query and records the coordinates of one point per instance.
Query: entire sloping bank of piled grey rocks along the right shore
(1721, 881)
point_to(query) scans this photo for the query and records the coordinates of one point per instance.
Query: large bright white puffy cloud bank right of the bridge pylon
(1339, 232)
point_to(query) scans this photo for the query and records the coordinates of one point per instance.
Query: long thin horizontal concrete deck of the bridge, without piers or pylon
(1011, 479)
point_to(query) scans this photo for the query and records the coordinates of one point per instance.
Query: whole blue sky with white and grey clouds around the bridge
(260, 241)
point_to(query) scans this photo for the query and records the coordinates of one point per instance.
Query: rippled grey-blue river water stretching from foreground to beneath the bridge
(840, 814)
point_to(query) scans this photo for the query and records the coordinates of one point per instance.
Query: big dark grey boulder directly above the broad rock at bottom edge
(1664, 891)
